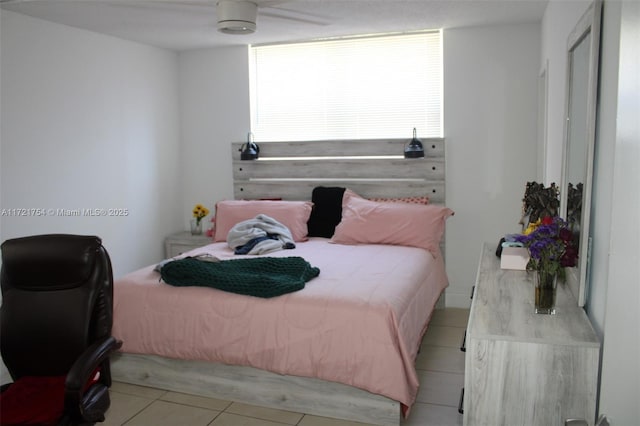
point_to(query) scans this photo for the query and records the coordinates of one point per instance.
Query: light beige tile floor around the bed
(440, 365)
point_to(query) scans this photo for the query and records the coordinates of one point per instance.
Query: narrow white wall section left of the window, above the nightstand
(214, 111)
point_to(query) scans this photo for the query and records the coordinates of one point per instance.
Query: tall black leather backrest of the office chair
(57, 299)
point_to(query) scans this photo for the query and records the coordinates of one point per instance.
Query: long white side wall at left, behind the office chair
(89, 121)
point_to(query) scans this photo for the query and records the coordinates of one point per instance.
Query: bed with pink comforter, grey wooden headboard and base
(345, 345)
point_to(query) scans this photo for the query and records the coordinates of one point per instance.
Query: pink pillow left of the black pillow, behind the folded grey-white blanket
(292, 214)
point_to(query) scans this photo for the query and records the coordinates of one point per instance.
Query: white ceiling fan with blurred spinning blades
(232, 16)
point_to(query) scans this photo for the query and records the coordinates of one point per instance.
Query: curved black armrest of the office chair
(84, 367)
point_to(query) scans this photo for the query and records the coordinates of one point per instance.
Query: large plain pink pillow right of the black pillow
(370, 222)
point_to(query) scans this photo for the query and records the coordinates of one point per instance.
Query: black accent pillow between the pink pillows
(327, 211)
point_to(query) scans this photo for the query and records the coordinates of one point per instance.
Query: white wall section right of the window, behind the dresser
(490, 110)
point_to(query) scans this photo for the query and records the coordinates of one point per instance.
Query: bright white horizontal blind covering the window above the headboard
(357, 88)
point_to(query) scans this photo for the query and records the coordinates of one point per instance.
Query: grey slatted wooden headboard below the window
(371, 168)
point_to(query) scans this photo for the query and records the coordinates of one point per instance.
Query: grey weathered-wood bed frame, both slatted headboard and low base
(290, 170)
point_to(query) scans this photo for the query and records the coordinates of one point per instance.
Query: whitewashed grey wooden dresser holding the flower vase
(523, 368)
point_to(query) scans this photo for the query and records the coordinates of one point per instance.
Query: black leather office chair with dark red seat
(55, 330)
